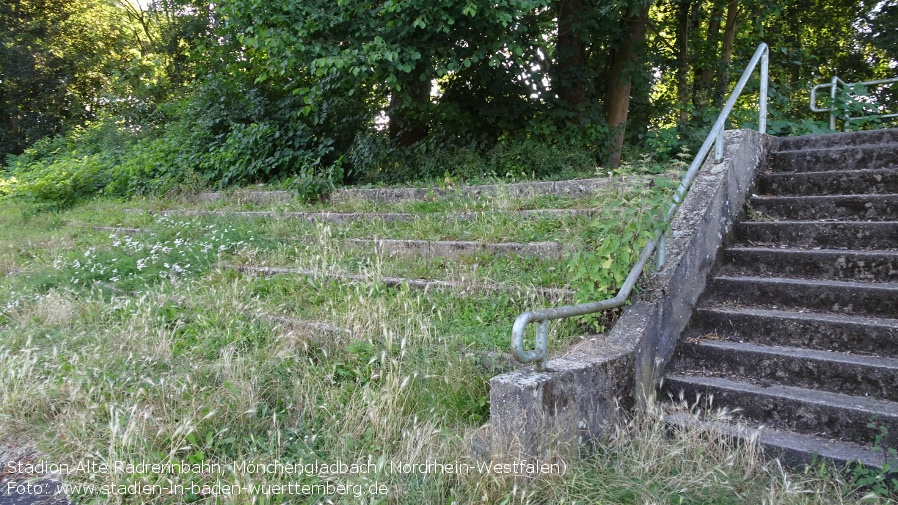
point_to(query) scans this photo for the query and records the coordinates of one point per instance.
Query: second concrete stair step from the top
(835, 158)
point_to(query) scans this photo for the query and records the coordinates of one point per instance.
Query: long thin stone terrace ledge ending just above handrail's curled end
(552, 294)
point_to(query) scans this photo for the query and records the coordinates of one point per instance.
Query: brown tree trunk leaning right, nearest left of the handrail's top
(617, 96)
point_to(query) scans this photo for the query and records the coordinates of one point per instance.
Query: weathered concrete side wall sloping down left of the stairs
(578, 396)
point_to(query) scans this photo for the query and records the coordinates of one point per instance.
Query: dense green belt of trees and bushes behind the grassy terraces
(327, 92)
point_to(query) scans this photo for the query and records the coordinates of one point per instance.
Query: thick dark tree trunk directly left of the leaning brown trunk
(570, 74)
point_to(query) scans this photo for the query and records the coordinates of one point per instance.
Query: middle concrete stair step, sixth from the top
(868, 266)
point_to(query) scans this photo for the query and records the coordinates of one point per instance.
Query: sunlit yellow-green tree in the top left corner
(55, 60)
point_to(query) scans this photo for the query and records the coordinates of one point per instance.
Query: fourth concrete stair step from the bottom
(809, 330)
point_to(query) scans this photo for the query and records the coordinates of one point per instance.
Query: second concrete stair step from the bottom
(818, 413)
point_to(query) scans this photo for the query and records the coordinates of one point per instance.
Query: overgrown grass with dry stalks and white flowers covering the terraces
(112, 355)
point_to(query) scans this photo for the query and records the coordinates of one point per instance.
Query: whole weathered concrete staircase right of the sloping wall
(797, 330)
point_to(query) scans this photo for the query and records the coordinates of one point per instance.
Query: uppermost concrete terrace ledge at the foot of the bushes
(566, 189)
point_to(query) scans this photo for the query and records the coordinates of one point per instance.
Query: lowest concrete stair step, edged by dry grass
(796, 449)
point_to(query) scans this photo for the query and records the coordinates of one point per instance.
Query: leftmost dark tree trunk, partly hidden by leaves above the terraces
(407, 106)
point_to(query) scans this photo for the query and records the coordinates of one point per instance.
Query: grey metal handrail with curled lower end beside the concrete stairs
(539, 355)
